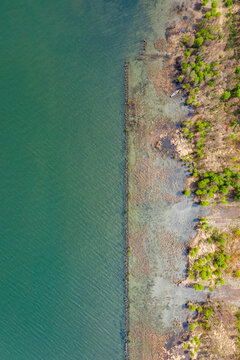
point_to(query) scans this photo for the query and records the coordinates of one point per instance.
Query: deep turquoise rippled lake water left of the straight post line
(62, 184)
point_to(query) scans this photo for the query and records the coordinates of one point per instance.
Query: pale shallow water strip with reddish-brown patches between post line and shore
(161, 220)
